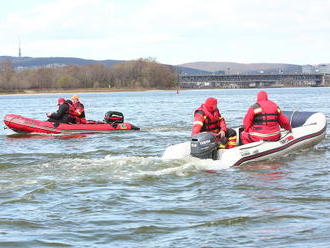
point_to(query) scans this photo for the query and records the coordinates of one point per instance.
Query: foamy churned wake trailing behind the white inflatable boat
(118, 168)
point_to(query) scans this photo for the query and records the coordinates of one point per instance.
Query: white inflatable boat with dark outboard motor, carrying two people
(308, 129)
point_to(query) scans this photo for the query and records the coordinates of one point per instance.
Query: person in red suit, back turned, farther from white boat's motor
(263, 121)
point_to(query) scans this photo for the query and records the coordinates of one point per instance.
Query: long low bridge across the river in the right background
(253, 80)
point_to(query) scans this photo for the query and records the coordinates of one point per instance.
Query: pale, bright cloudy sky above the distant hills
(169, 31)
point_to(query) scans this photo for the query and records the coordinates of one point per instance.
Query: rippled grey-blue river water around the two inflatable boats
(114, 190)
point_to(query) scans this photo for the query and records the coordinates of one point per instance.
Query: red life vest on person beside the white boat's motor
(211, 121)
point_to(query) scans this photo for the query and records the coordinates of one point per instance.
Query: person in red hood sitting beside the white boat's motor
(207, 118)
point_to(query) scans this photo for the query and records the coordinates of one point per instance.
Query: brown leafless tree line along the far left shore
(141, 73)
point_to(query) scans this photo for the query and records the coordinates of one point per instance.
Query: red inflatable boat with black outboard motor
(114, 121)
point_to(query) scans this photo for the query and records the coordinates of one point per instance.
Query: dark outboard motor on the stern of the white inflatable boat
(204, 145)
